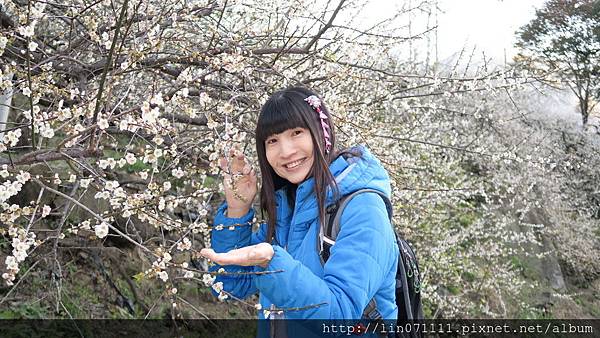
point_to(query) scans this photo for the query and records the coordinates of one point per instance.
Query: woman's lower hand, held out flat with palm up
(259, 254)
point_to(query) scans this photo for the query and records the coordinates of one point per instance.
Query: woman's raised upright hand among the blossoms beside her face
(240, 183)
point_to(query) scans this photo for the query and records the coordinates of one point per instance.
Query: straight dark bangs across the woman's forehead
(277, 116)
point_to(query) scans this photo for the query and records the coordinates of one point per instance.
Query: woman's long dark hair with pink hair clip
(287, 109)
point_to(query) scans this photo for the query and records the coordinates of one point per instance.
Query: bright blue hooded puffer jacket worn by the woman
(362, 264)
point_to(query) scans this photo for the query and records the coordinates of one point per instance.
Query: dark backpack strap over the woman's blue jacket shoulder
(328, 235)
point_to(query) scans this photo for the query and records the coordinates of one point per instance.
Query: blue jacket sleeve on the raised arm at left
(232, 233)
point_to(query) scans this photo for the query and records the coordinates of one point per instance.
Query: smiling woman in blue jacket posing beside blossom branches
(301, 175)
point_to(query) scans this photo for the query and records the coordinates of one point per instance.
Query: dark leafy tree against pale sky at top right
(564, 38)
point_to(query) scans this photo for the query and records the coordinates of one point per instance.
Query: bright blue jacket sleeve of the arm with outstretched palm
(361, 258)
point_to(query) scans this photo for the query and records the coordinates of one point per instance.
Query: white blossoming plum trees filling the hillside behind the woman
(116, 111)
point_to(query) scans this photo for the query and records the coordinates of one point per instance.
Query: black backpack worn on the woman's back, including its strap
(408, 278)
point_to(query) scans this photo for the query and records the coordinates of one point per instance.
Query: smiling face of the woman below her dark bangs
(290, 154)
